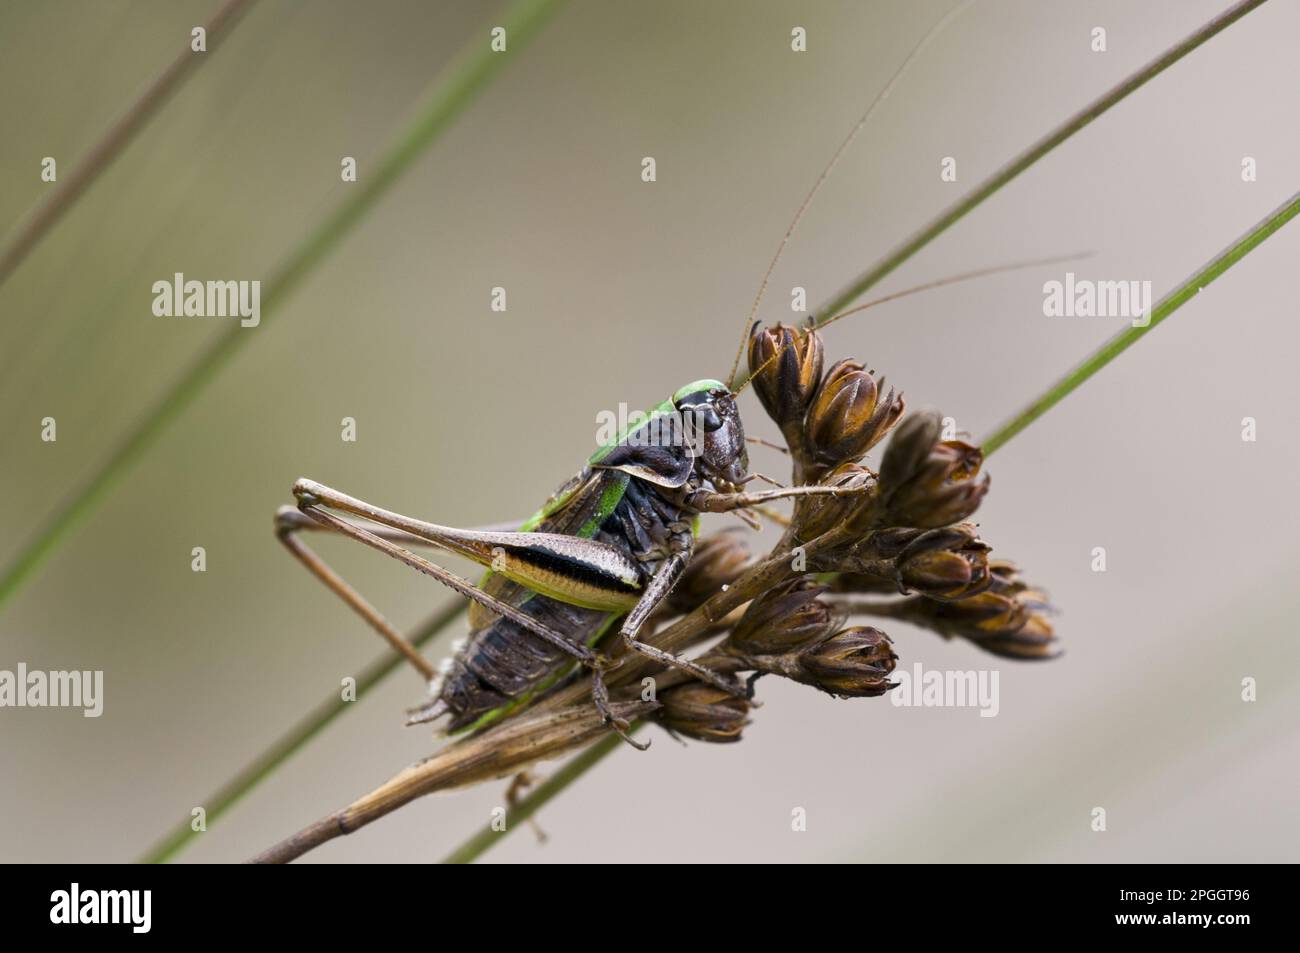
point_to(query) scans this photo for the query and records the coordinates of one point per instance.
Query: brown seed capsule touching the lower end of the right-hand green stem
(926, 482)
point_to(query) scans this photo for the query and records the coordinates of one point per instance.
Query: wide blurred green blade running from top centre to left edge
(457, 88)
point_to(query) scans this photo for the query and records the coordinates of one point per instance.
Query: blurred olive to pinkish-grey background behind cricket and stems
(621, 292)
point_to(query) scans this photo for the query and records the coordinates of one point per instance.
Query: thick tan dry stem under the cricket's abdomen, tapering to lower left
(502, 752)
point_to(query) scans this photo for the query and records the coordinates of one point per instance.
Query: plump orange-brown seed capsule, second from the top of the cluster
(850, 415)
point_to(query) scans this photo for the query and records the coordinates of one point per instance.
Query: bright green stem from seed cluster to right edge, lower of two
(1130, 336)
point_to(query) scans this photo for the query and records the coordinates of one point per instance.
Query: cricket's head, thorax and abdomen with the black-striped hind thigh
(632, 497)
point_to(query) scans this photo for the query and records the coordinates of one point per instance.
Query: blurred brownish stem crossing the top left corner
(105, 153)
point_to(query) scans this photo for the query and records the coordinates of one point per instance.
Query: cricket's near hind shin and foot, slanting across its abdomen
(310, 504)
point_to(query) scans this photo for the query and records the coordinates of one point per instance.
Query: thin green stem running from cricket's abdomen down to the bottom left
(292, 742)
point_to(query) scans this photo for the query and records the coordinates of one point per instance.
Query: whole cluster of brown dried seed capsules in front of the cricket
(900, 532)
